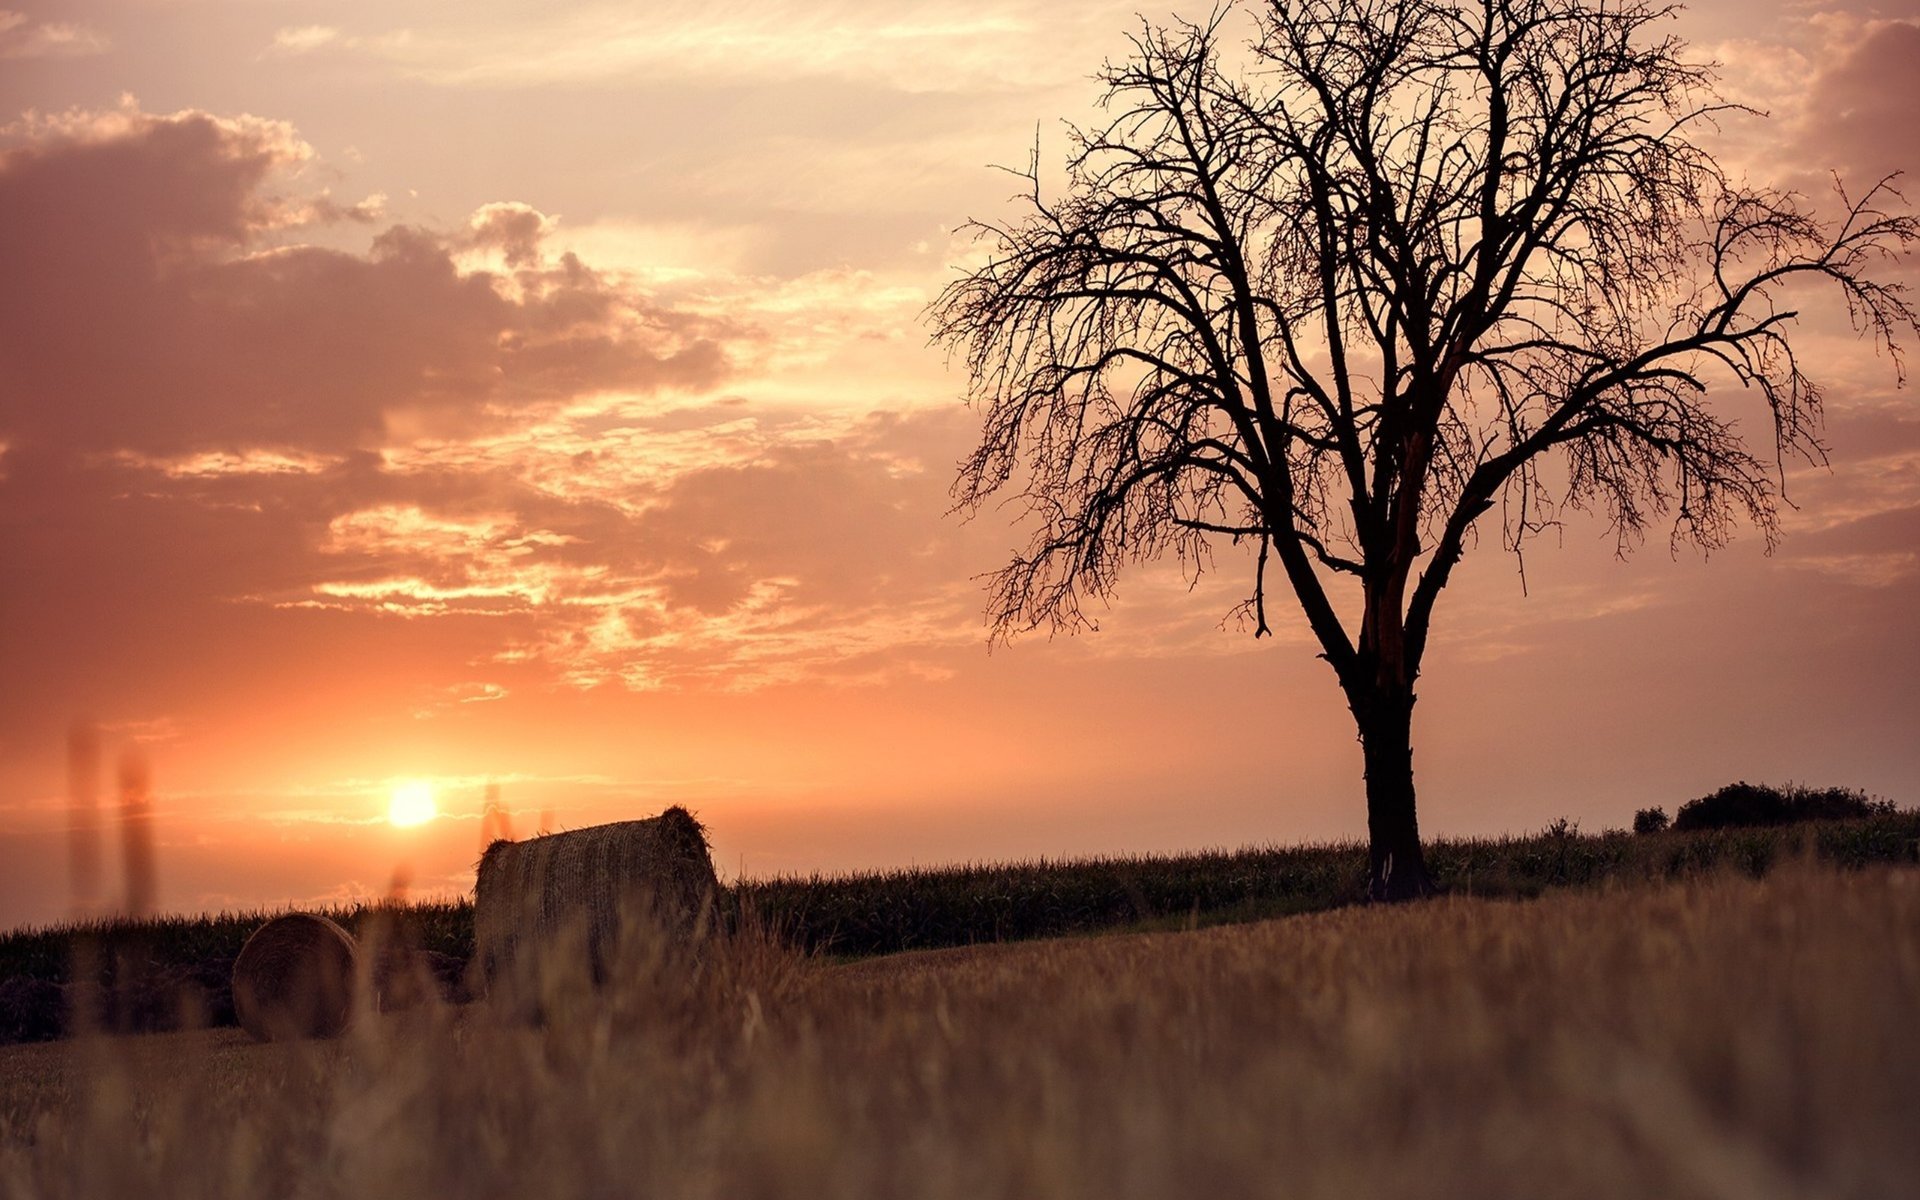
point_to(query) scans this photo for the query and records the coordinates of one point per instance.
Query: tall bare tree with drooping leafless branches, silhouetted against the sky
(1341, 291)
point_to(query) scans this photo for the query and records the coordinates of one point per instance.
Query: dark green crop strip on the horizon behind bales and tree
(141, 971)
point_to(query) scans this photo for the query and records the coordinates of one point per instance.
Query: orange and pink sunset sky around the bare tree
(539, 396)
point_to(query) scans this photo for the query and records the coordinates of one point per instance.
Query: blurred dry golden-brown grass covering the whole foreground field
(1719, 1038)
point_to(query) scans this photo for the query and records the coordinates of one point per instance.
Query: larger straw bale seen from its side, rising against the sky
(529, 894)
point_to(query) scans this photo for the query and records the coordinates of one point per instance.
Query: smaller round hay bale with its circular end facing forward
(295, 978)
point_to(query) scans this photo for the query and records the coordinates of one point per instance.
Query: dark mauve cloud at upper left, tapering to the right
(151, 310)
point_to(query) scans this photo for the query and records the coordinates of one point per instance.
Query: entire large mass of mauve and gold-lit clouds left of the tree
(247, 441)
